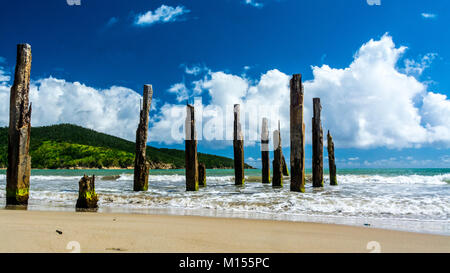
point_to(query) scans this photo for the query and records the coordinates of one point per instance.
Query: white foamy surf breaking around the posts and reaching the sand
(407, 197)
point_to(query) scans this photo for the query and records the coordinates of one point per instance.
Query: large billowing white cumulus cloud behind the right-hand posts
(371, 103)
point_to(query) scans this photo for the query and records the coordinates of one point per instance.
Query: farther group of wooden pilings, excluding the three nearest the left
(297, 134)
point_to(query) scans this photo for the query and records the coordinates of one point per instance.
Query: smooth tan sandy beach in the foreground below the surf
(36, 231)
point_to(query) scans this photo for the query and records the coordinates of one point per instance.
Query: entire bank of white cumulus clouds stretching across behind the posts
(370, 103)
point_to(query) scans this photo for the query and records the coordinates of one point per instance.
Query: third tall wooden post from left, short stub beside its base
(191, 150)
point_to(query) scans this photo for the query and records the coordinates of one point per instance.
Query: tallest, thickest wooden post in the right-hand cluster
(297, 128)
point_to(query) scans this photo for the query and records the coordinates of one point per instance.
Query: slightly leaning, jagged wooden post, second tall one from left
(141, 165)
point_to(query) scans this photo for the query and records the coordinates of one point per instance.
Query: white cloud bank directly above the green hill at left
(114, 110)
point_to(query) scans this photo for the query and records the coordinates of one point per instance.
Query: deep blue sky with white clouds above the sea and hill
(100, 53)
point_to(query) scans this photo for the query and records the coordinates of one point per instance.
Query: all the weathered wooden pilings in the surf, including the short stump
(19, 160)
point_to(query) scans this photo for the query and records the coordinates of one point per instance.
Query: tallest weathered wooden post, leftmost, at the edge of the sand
(19, 160)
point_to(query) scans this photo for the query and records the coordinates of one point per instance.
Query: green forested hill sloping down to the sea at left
(66, 146)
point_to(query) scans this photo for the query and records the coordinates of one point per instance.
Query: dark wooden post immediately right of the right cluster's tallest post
(317, 138)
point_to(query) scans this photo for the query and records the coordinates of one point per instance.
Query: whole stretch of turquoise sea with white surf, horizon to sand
(403, 199)
